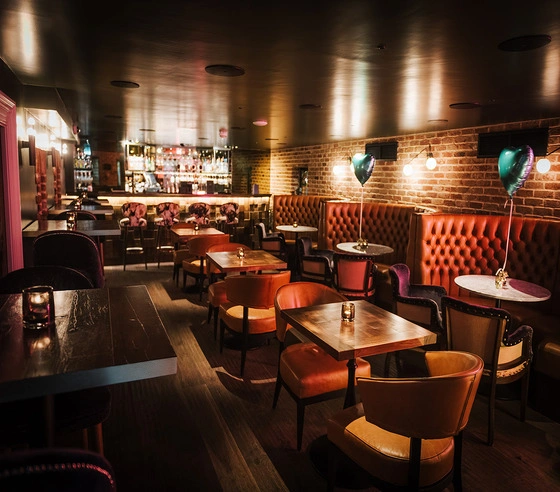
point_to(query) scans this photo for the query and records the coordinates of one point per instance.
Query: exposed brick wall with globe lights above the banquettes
(461, 182)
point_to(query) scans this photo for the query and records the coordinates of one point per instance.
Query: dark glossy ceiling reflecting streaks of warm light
(366, 68)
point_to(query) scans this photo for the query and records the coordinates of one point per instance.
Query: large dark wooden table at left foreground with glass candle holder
(101, 337)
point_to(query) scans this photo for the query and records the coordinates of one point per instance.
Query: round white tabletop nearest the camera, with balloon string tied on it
(513, 290)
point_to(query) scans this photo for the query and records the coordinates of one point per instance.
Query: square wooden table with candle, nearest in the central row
(373, 331)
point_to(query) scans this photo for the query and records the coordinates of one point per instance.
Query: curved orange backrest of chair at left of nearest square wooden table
(300, 294)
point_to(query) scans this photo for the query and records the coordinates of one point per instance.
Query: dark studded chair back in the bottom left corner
(63, 470)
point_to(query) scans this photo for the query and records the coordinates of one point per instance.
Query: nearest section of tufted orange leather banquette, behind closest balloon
(445, 246)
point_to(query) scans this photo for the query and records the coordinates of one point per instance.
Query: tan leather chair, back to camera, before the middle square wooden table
(249, 313)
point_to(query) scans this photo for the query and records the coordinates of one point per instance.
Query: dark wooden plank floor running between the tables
(207, 429)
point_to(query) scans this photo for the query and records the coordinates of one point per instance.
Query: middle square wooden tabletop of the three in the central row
(254, 260)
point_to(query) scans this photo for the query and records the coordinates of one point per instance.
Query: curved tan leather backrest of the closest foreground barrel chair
(431, 407)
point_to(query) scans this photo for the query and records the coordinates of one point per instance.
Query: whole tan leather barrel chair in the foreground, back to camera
(407, 433)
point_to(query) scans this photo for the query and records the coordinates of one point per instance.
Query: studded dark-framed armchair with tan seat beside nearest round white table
(488, 332)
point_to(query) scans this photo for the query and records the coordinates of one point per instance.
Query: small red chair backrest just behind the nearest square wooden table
(354, 275)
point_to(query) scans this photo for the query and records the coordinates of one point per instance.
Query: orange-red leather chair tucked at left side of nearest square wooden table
(308, 373)
